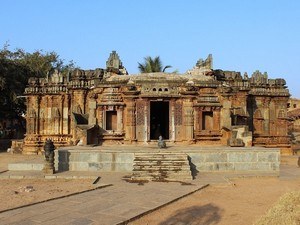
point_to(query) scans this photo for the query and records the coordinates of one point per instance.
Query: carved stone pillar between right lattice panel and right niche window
(188, 120)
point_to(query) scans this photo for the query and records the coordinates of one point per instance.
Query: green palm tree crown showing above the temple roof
(152, 65)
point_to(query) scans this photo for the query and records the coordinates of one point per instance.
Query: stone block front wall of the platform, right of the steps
(239, 160)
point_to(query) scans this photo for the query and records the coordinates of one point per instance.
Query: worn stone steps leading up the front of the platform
(161, 166)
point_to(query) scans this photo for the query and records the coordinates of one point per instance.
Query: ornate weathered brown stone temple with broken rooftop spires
(201, 107)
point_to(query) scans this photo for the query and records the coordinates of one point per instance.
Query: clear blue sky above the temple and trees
(242, 35)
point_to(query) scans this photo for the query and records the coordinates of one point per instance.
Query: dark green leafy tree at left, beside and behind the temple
(15, 69)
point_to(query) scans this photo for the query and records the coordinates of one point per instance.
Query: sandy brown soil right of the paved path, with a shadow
(243, 202)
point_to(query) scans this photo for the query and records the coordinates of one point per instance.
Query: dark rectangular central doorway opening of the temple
(159, 120)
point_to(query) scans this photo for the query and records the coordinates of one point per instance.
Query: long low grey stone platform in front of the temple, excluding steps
(202, 159)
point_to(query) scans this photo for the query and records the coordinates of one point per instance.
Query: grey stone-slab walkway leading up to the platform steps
(121, 202)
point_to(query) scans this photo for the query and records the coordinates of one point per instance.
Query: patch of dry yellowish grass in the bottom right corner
(285, 212)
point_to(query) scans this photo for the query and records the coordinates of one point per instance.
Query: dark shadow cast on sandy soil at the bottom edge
(207, 214)
